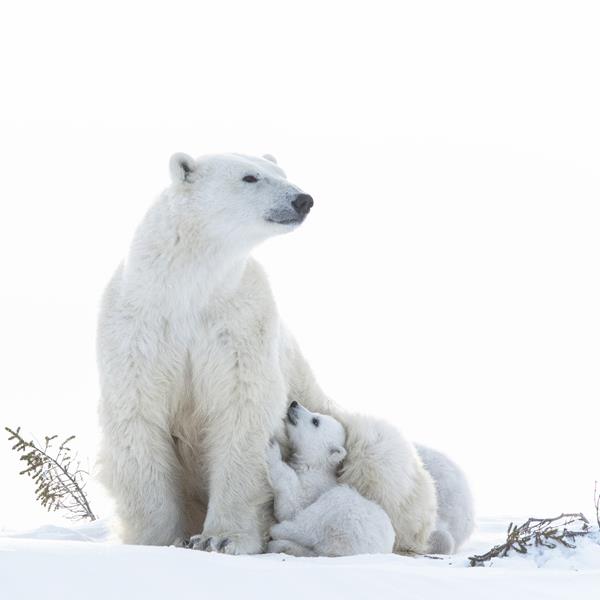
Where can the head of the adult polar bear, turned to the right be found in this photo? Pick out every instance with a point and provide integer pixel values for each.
(238, 197)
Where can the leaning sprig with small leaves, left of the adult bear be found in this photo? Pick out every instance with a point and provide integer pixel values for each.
(59, 479)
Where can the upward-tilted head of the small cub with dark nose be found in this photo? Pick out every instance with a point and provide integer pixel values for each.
(317, 440)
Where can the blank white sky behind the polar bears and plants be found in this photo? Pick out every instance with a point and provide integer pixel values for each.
(447, 278)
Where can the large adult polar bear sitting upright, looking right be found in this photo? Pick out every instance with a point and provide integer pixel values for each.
(197, 371)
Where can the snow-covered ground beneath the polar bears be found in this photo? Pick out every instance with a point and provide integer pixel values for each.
(82, 562)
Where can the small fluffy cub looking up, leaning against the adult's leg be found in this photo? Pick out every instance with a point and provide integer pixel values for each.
(317, 516)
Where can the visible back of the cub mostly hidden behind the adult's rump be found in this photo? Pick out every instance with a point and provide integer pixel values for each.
(456, 515)
